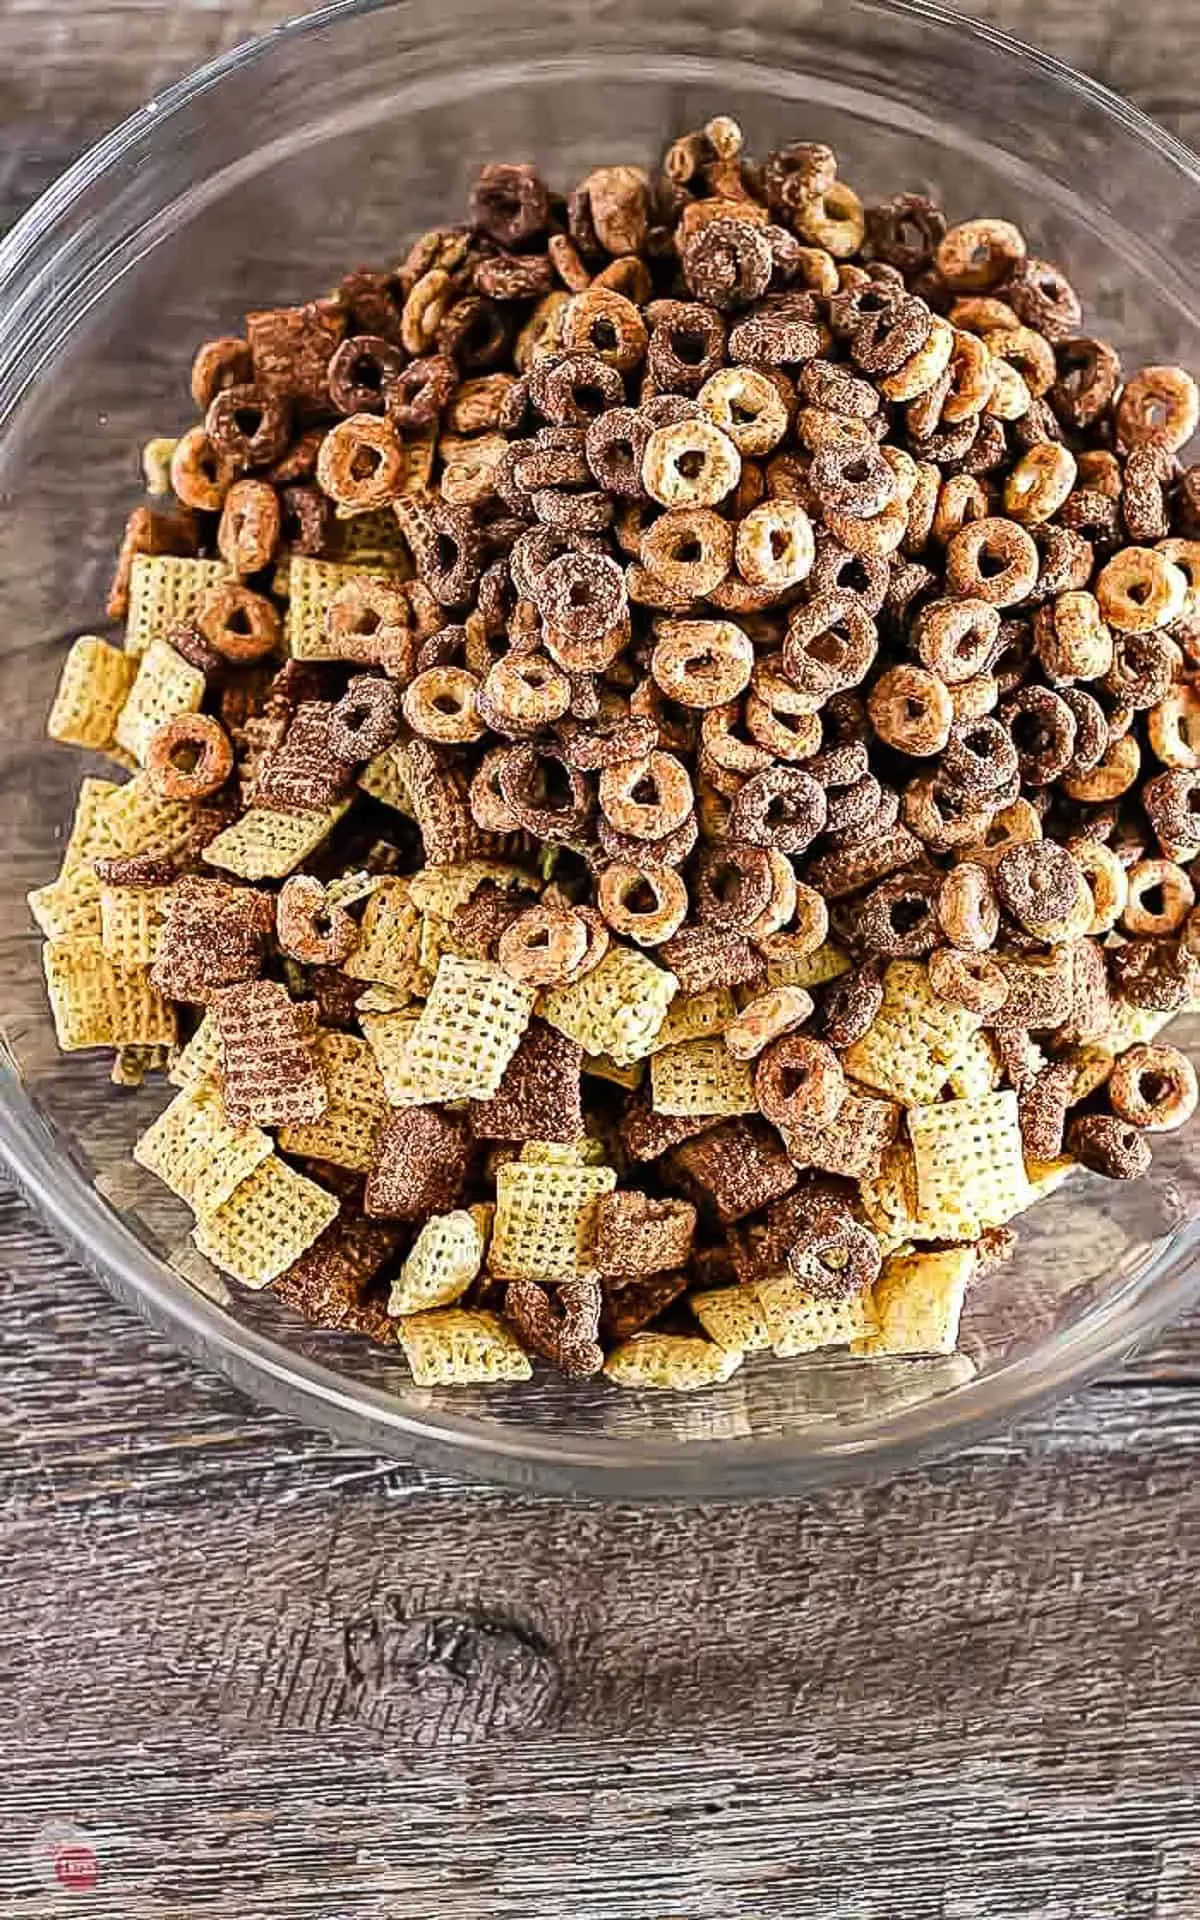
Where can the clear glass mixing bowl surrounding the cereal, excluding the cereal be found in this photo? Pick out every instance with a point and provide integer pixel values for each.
(262, 180)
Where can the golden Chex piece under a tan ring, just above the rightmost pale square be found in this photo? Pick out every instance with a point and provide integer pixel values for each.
(915, 1040)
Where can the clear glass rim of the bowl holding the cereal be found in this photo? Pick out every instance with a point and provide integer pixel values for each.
(49, 1176)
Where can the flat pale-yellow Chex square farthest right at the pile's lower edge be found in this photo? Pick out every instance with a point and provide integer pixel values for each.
(969, 1157)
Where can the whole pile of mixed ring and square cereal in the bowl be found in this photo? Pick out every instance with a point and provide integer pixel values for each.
(663, 777)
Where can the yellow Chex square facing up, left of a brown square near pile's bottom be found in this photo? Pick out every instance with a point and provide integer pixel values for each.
(546, 1218)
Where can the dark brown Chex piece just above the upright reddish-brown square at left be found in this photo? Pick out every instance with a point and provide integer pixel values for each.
(214, 936)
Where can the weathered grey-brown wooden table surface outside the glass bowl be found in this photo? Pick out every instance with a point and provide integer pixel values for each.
(260, 1673)
